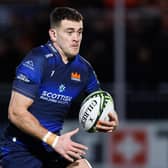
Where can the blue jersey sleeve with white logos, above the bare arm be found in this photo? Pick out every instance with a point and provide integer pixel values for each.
(28, 75)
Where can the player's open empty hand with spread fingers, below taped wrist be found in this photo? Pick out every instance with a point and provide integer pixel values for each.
(68, 148)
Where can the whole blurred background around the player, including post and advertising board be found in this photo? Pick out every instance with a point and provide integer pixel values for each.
(126, 41)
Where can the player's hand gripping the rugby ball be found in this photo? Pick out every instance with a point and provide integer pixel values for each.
(108, 126)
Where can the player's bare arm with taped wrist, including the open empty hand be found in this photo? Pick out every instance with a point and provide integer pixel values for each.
(19, 115)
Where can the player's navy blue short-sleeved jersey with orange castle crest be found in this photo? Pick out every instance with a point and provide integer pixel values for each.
(52, 84)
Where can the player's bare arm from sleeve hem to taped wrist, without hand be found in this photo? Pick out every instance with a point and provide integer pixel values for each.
(23, 119)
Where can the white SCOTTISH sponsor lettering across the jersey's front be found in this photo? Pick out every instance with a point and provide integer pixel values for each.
(55, 98)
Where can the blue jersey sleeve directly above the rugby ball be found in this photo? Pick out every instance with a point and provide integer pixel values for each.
(92, 83)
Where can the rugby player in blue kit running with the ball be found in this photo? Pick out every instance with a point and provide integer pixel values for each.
(47, 81)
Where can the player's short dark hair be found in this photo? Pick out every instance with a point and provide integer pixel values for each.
(61, 13)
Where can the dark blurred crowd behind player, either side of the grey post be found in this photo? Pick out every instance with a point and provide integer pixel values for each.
(25, 25)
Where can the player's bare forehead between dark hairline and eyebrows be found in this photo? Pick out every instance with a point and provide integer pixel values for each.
(67, 24)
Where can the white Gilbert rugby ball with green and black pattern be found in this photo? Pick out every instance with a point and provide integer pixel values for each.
(95, 107)
